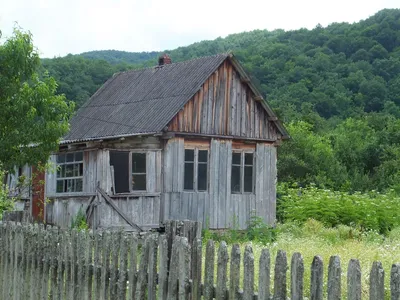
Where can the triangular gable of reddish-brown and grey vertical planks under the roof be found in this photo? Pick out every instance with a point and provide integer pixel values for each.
(224, 105)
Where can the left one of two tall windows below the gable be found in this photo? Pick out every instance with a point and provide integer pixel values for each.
(196, 169)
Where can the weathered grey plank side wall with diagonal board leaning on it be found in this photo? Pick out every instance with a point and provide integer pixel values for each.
(143, 208)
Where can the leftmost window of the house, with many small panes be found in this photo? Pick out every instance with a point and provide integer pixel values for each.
(69, 172)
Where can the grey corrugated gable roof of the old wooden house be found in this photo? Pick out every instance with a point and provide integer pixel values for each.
(140, 102)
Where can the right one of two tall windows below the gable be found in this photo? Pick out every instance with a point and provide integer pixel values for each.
(242, 172)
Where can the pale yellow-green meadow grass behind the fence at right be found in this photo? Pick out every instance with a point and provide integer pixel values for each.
(313, 238)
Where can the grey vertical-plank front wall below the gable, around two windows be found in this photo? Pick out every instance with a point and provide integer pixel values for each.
(218, 207)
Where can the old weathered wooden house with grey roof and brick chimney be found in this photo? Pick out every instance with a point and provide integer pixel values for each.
(189, 140)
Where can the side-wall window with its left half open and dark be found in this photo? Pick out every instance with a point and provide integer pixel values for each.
(129, 171)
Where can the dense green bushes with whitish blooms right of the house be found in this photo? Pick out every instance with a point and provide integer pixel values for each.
(371, 211)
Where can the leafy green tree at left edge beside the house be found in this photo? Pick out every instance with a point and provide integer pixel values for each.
(32, 117)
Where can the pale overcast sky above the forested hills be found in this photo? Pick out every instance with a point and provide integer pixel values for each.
(60, 27)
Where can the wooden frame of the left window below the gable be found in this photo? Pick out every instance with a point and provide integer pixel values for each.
(196, 168)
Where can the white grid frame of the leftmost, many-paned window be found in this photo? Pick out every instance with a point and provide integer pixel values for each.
(65, 178)
